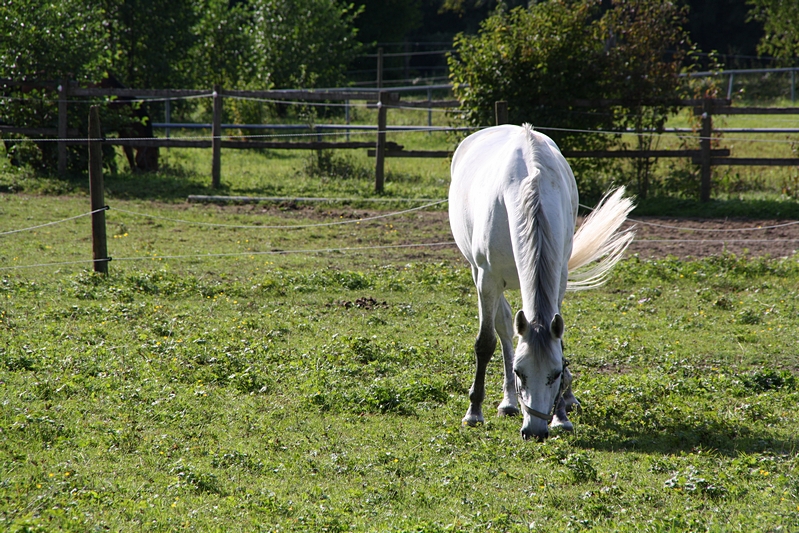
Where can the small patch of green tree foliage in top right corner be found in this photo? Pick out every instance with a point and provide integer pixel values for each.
(780, 20)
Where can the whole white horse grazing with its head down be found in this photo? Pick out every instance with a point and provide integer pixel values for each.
(513, 209)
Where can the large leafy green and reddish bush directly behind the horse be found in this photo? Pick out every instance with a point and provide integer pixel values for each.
(544, 59)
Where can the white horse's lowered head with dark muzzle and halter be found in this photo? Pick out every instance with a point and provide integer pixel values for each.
(538, 365)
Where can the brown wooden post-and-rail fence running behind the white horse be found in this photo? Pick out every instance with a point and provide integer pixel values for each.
(383, 100)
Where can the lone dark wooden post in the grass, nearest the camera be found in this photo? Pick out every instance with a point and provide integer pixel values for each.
(97, 193)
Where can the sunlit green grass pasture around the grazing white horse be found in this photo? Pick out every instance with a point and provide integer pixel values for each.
(209, 383)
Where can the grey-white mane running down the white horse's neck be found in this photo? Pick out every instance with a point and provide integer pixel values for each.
(537, 248)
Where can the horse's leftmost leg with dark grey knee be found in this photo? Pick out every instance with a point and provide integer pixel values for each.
(484, 348)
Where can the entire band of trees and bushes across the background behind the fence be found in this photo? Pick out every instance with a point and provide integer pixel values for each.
(539, 57)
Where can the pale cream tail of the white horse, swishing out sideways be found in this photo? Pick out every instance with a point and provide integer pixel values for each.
(599, 238)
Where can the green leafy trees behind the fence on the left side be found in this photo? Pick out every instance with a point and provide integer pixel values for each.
(190, 43)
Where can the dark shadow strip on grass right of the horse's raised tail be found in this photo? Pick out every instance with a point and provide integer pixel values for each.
(676, 207)
